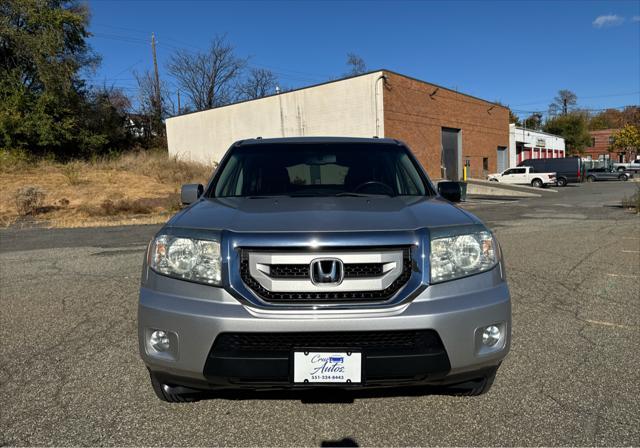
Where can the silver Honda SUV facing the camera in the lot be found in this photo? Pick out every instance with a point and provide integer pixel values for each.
(311, 262)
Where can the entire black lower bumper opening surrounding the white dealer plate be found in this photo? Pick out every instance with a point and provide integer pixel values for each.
(266, 358)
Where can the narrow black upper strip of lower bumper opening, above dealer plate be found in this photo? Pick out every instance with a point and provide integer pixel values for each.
(371, 342)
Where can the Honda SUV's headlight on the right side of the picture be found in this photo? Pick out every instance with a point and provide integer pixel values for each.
(462, 255)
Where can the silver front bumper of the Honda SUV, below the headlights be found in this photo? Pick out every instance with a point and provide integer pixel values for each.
(196, 315)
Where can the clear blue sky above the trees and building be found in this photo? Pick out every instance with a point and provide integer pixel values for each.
(520, 53)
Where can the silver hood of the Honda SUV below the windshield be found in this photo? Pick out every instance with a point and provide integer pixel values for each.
(320, 214)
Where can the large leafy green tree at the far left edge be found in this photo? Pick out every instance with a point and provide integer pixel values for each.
(43, 52)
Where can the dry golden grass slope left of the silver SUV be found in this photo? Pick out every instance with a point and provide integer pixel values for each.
(139, 187)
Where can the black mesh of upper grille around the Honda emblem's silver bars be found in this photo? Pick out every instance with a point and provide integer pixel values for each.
(357, 270)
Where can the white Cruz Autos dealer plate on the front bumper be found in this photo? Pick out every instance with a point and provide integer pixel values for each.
(327, 367)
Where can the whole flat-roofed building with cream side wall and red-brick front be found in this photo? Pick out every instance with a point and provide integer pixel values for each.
(445, 128)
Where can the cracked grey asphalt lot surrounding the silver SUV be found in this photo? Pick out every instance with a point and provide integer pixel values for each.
(70, 372)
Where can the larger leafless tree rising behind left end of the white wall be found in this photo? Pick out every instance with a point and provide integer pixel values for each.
(208, 78)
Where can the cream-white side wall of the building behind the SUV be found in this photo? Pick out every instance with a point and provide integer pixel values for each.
(346, 108)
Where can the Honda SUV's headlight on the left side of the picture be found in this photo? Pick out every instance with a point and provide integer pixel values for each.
(186, 258)
